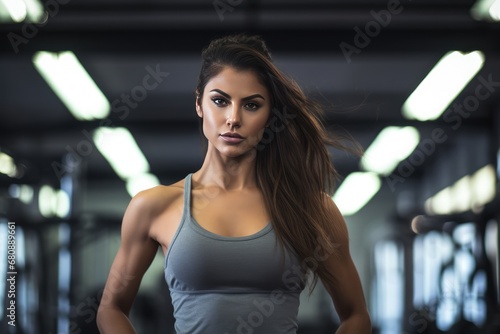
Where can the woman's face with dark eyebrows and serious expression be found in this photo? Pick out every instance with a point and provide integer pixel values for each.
(235, 109)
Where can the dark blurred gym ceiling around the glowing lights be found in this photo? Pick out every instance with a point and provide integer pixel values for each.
(117, 41)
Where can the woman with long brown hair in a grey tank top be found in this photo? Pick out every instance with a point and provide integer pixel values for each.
(243, 234)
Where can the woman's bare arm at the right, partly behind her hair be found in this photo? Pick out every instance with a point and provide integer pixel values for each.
(346, 291)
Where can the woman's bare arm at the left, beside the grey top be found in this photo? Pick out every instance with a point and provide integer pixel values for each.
(137, 251)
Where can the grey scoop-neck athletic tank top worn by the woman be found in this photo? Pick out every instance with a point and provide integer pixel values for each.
(231, 285)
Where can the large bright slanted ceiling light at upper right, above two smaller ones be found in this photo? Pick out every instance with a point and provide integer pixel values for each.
(442, 85)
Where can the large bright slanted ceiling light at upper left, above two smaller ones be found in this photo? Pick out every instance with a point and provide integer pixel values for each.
(72, 84)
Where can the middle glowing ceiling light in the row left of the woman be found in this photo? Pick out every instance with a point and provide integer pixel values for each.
(119, 148)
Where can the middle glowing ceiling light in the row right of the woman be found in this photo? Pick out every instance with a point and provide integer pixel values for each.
(392, 145)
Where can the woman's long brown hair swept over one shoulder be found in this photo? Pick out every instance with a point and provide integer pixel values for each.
(293, 166)
